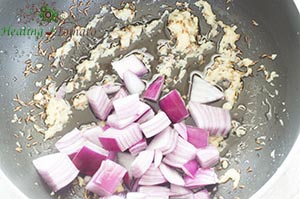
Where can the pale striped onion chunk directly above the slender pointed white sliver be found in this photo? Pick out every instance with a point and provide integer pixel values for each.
(183, 152)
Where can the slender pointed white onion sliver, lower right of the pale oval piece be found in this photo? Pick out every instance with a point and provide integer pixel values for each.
(171, 175)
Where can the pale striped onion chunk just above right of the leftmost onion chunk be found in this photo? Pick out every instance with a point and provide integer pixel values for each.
(71, 143)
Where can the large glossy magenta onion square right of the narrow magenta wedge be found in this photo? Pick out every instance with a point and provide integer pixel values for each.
(173, 105)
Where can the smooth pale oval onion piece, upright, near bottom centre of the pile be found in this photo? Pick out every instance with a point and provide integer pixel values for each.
(142, 163)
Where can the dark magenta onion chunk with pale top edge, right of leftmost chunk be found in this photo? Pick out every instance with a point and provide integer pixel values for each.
(89, 158)
